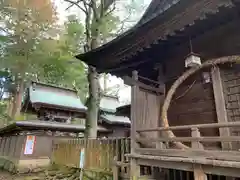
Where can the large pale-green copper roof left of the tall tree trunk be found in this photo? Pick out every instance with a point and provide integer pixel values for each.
(53, 97)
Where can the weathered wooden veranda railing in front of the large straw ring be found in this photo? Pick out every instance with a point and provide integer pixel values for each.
(196, 141)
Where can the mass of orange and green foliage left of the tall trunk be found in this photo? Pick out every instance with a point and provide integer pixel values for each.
(35, 48)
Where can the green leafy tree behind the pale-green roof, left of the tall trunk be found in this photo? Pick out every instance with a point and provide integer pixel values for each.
(61, 68)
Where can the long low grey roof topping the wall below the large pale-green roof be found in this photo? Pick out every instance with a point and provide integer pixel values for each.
(44, 125)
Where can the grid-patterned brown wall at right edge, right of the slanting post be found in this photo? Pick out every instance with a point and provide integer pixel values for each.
(231, 86)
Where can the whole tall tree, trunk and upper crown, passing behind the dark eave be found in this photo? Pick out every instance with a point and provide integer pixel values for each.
(101, 25)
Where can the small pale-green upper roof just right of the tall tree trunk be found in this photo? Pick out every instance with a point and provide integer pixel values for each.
(109, 103)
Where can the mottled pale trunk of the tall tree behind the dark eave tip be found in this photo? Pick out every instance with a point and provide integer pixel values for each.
(94, 15)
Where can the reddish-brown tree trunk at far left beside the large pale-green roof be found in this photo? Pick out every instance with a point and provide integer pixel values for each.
(17, 100)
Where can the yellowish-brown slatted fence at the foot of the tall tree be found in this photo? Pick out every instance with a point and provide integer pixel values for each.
(99, 153)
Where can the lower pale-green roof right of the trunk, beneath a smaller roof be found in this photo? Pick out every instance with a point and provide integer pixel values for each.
(114, 119)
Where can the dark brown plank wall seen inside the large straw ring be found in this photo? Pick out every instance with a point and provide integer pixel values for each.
(193, 103)
